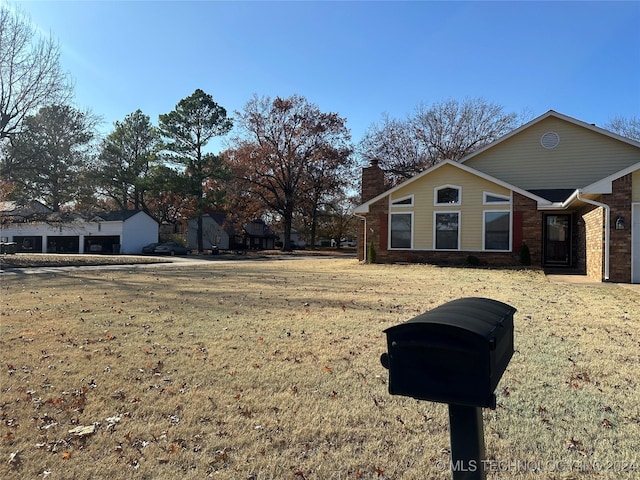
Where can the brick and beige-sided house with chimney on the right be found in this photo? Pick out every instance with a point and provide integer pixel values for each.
(567, 189)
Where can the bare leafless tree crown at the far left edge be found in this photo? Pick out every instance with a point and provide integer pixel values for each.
(30, 72)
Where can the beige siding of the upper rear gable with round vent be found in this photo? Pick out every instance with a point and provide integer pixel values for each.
(581, 158)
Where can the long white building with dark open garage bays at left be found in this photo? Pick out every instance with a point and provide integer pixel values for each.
(44, 231)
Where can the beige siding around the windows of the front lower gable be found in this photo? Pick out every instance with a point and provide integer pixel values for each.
(471, 207)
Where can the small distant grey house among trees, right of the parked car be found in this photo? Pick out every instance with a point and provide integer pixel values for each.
(255, 235)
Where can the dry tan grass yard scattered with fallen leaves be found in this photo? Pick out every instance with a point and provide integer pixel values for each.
(270, 370)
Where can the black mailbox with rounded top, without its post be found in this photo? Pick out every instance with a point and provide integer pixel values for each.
(455, 353)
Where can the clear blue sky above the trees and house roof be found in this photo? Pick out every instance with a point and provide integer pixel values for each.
(359, 59)
